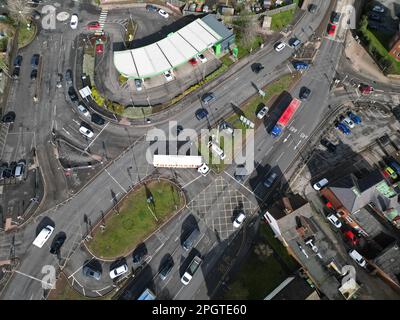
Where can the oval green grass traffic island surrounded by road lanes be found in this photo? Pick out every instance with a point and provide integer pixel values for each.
(135, 221)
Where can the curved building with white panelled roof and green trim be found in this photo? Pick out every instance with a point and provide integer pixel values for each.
(174, 50)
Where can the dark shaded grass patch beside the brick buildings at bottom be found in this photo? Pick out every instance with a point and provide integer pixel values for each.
(261, 273)
